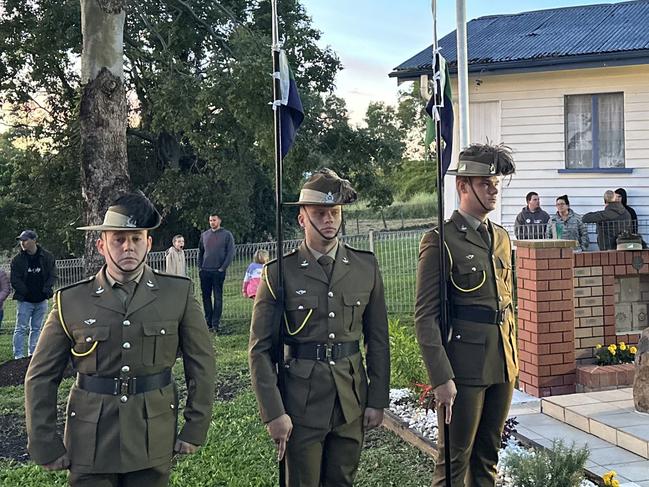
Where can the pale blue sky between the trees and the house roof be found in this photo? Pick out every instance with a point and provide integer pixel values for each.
(371, 37)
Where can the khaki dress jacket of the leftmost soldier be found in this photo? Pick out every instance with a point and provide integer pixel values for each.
(88, 324)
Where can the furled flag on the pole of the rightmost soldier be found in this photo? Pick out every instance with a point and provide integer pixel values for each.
(443, 113)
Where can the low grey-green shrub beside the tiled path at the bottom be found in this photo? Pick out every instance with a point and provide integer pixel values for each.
(559, 466)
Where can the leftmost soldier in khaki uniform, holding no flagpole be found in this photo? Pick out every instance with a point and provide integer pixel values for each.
(122, 329)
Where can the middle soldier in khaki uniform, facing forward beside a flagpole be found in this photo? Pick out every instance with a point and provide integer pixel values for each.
(334, 296)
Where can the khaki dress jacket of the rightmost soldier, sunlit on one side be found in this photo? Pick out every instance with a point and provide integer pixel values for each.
(477, 353)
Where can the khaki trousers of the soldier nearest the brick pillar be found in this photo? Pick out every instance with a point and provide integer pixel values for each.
(479, 415)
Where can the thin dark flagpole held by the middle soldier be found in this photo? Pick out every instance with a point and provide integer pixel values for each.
(277, 106)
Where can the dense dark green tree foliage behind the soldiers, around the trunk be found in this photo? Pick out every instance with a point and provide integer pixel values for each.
(200, 132)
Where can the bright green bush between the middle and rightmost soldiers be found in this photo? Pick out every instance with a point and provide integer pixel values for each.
(407, 366)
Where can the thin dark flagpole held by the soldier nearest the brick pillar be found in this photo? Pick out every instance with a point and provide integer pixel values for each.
(443, 312)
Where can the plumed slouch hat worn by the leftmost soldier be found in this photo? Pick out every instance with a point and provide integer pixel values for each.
(132, 211)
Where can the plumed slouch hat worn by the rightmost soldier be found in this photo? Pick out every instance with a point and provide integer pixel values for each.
(485, 160)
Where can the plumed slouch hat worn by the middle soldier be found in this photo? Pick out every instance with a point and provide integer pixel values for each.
(325, 188)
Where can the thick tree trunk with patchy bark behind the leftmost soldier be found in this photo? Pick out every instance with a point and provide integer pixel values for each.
(103, 115)
